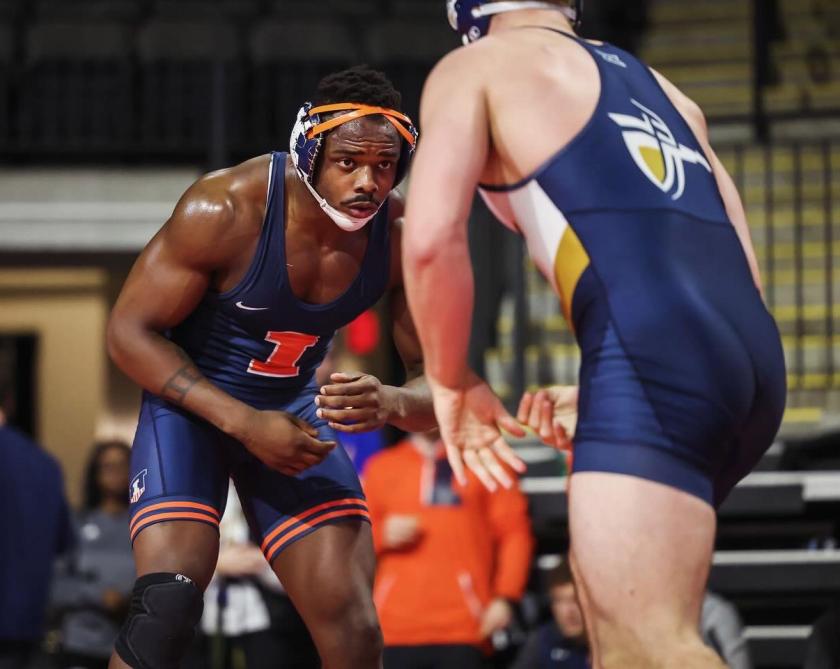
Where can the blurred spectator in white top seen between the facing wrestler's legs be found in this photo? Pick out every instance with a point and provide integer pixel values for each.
(246, 612)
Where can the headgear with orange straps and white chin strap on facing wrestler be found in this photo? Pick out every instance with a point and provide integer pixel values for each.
(308, 137)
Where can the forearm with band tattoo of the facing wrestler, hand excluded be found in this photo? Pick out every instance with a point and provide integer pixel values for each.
(164, 369)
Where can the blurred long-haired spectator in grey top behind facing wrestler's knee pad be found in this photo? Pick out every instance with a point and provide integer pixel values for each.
(92, 586)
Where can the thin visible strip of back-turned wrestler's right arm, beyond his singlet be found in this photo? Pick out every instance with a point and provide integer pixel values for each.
(693, 115)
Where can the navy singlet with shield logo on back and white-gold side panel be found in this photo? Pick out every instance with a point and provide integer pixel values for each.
(682, 378)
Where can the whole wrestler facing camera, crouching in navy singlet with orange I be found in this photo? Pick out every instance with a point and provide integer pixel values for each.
(223, 320)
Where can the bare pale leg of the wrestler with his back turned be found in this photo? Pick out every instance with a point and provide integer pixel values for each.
(641, 554)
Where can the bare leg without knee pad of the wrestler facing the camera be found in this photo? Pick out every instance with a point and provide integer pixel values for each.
(329, 576)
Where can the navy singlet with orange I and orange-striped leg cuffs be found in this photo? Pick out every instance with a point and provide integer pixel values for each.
(262, 345)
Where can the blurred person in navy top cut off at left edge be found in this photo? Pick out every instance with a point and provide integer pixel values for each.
(34, 528)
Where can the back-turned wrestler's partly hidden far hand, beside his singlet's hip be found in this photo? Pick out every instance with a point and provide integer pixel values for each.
(552, 414)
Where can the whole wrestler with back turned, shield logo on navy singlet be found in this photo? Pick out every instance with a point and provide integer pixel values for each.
(606, 169)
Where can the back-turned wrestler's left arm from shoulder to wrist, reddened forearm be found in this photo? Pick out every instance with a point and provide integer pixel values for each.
(436, 259)
